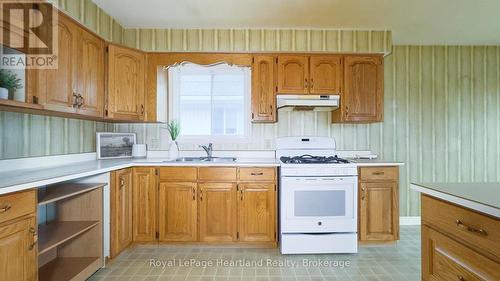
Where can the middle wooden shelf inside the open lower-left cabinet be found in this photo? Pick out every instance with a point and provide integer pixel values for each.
(56, 233)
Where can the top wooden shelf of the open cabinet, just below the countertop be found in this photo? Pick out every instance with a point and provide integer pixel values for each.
(61, 191)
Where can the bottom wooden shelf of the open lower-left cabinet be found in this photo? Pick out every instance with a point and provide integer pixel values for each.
(65, 269)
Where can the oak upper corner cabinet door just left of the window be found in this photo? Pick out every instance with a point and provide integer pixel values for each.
(126, 78)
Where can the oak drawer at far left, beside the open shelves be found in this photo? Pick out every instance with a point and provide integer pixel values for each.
(16, 205)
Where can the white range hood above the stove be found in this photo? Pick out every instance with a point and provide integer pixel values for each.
(308, 102)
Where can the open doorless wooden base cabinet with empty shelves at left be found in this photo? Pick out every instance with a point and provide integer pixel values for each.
(70, 244)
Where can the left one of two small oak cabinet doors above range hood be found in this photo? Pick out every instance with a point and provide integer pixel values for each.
(293, 74)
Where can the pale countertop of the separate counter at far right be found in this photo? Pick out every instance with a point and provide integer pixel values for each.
(481, 197)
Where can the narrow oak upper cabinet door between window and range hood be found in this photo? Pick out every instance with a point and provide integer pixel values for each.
(263, 89)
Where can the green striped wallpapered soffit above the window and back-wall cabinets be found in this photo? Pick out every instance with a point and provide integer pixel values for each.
(259, 40)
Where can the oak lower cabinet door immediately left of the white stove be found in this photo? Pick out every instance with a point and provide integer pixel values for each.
(256, 208)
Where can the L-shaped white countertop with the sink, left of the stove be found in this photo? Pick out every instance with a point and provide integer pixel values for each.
(20, 179)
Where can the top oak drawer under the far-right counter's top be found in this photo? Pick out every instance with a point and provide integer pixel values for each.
(478, 230)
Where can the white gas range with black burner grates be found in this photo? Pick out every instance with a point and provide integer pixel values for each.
(318, 197)
